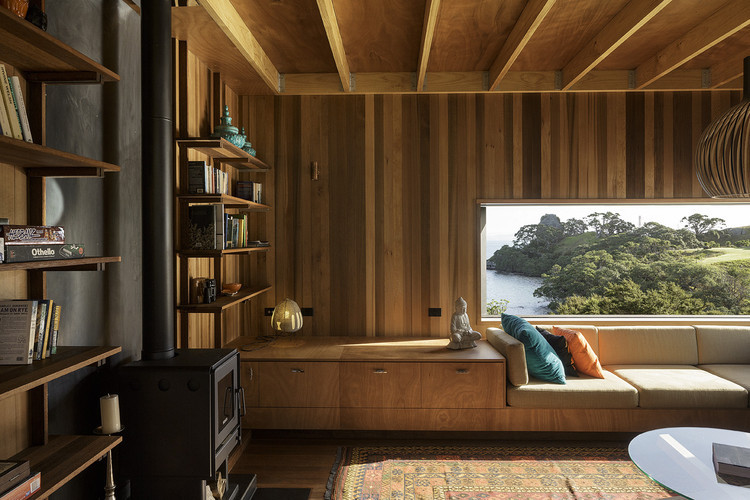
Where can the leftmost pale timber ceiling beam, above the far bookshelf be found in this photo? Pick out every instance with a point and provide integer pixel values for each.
(230, 22)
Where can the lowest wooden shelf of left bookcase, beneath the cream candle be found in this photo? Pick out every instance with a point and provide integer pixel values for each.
(64, 457)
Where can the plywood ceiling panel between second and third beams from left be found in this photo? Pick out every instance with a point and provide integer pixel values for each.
(380, 35)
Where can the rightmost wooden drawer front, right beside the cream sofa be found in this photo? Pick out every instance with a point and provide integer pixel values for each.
(463, 385)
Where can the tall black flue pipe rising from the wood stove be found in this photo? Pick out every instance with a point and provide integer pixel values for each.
(157, 177)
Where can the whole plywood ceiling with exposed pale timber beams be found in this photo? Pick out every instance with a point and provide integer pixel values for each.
(429, 46)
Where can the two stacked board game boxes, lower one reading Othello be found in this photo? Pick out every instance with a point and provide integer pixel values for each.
(32, 243)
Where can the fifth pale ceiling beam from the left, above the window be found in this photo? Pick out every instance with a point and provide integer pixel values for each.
(629, 20)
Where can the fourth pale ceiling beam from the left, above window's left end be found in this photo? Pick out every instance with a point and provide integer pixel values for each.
(528, 22)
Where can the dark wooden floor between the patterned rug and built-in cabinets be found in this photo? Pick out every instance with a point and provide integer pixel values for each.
(296, 459)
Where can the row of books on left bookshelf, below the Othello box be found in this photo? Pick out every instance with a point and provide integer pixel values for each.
(29, 330)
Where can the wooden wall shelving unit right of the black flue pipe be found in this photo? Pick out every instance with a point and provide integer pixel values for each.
(223, 154)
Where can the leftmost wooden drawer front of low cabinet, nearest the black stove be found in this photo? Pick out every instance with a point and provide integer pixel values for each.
(305, 384)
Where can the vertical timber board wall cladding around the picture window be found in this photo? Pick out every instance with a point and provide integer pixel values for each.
(390, 227)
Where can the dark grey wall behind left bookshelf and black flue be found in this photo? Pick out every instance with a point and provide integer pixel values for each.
(102, 122)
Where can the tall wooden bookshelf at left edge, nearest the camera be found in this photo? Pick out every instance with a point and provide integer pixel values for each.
(39, 59)
